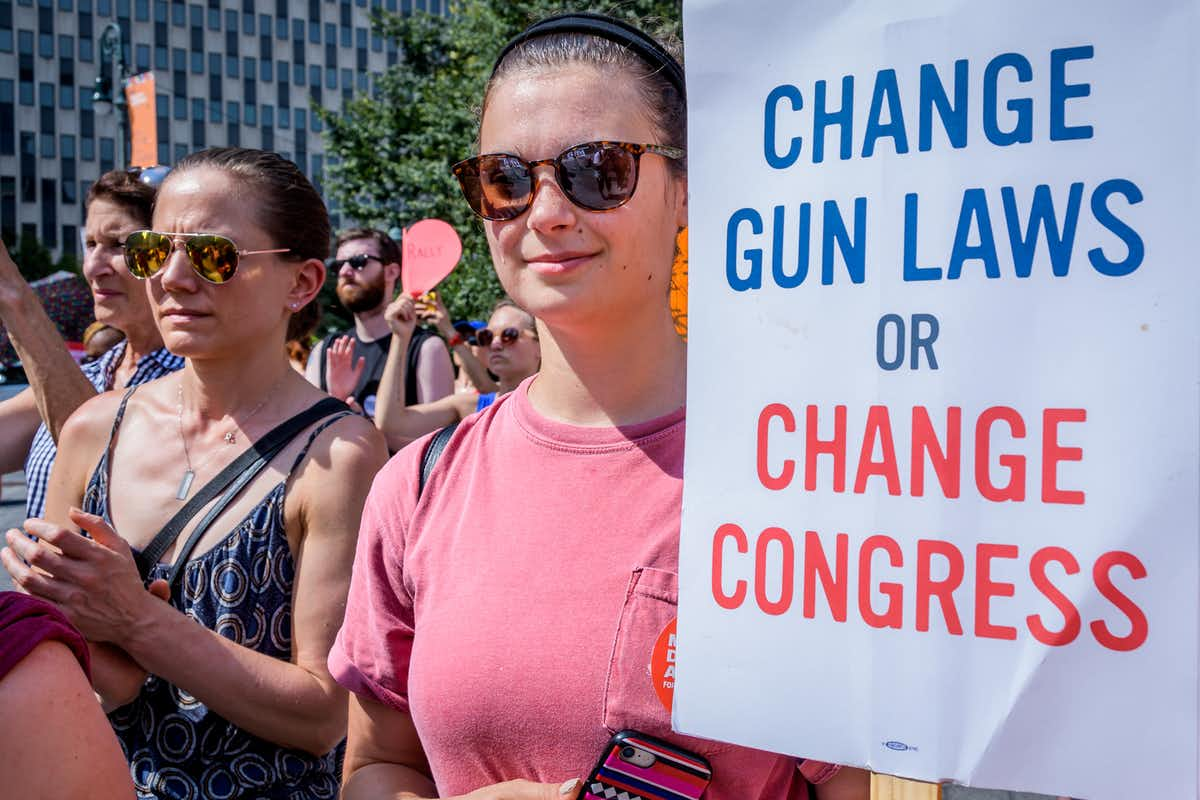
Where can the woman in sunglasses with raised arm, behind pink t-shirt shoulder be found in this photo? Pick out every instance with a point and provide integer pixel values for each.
(513, 356)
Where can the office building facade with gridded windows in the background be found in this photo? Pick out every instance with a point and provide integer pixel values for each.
(227, 73)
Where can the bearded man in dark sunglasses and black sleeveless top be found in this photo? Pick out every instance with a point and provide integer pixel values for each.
(368, 267)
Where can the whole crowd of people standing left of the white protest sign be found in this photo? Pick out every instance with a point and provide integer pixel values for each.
(275, 586)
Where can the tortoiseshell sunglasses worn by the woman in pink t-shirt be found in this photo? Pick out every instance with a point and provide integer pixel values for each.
(596, 176)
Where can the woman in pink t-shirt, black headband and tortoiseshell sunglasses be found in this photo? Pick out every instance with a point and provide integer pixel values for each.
(502, 619)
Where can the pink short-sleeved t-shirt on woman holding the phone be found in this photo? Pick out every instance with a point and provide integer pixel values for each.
(513, 611)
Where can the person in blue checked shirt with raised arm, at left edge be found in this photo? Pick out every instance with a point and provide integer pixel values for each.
(118, 204)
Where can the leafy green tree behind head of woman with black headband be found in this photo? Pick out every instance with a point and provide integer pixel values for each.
(393, 149)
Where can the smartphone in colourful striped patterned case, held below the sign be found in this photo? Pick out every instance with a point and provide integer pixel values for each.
(638, 767)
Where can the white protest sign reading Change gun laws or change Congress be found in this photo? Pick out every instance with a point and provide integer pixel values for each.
(941, 483)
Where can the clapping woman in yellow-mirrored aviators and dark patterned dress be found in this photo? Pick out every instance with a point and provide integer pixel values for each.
(239, 701)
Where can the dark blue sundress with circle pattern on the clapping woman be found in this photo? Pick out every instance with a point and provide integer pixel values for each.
(242, 588)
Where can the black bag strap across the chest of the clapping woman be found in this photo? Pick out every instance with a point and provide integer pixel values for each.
(235, 477)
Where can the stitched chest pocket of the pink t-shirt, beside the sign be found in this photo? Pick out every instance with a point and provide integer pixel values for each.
(631, 699)
